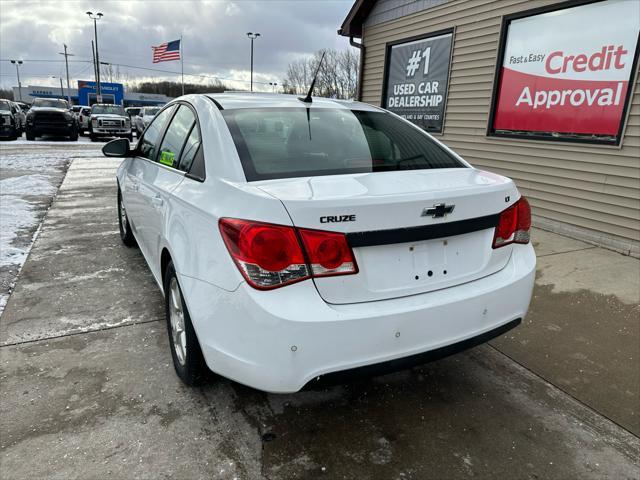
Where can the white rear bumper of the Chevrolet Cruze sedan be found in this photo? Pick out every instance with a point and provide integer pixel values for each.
(280, 340)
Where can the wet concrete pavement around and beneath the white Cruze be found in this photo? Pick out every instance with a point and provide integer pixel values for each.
(87, 389)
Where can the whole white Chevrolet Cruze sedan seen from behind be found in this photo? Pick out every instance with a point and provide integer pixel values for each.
(299, 241)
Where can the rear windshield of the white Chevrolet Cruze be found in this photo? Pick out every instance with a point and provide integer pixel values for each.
(299, 142)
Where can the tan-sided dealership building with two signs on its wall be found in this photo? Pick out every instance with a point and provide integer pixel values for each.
(542, 91)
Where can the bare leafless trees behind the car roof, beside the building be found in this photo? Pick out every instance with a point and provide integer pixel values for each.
(336, 79)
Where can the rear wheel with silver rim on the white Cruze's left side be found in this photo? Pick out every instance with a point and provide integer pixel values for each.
(188, 360)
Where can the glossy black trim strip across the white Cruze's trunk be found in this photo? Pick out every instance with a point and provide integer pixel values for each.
(426, 232)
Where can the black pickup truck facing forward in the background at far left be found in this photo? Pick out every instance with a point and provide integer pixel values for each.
(51, 116)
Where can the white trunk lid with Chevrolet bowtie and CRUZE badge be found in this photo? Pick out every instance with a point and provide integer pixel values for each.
(411, 231)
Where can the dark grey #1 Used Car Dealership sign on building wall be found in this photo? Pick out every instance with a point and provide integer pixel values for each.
(416, 78)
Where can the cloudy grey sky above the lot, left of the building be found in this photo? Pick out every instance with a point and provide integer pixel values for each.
(214, 37)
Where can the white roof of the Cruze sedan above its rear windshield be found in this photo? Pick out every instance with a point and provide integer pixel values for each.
(229, 101)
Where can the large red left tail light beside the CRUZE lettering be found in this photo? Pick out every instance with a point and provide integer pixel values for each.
(271, 256)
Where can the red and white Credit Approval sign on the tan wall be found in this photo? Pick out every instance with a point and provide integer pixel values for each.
(568, 71)
